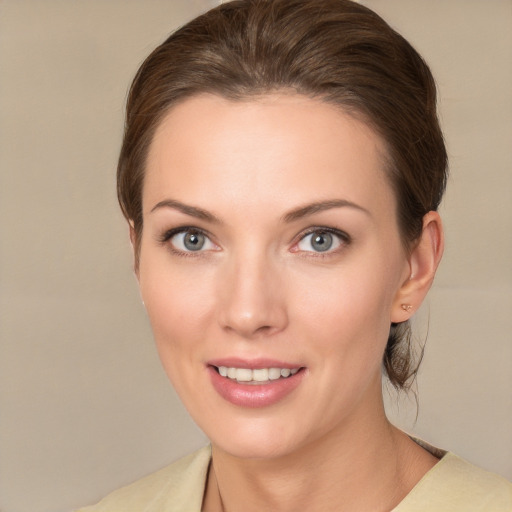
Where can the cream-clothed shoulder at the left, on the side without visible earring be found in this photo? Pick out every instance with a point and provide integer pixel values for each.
(168, 490)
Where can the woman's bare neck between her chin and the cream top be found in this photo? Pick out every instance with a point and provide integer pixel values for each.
(363, 465)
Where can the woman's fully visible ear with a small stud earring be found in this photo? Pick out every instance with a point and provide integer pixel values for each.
(423, 262)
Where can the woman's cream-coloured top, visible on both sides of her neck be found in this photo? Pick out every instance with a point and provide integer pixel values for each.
(452, 485)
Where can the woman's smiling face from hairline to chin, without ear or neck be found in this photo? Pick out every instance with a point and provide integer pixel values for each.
(270, 253)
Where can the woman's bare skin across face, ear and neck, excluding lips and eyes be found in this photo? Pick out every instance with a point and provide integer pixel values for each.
(259, 289)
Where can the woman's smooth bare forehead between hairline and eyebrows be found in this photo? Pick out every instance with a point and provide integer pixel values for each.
(285, 145)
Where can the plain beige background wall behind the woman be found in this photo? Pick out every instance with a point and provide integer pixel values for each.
(84, 404)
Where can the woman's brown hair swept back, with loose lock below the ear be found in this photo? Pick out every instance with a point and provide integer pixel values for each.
(337, 51)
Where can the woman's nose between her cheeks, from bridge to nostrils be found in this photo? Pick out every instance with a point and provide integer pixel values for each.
(252, 299)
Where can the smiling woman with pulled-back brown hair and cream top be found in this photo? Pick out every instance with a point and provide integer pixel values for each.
(281, 172)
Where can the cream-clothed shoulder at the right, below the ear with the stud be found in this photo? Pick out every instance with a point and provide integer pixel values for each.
(454, 484)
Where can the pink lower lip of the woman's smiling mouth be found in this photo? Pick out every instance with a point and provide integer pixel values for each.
(254, 395)
